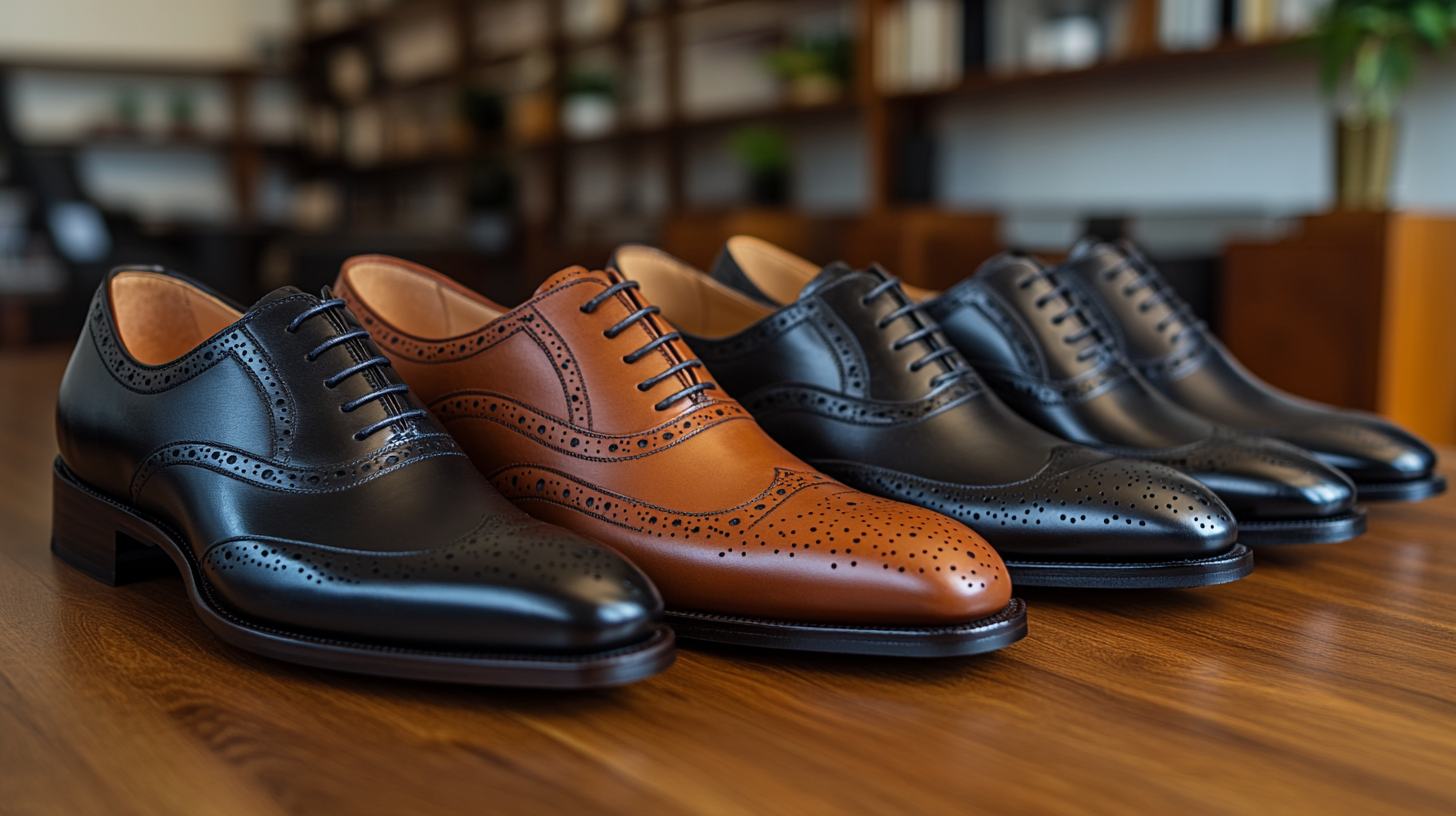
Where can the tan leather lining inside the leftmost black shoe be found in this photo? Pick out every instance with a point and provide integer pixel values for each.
(161, 318)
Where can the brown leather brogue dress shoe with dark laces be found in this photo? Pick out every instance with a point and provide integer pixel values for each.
(589, 412)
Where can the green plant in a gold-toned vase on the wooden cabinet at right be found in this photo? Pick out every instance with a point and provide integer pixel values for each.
(1368, 53)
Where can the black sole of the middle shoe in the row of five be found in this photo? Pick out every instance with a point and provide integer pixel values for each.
(1184, 573)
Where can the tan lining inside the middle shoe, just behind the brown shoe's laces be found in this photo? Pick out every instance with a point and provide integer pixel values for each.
(689, 299)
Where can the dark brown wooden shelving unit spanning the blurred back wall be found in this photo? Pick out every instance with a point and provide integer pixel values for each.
(885, 117)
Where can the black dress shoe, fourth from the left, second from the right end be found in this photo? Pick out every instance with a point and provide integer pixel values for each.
(1052, 362)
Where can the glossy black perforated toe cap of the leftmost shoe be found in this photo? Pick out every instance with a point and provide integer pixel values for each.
(513, 584)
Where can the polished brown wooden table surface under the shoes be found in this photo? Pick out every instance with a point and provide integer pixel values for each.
(1323, 684)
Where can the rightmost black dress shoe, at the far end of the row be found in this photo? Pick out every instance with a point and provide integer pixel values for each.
(1180, 356)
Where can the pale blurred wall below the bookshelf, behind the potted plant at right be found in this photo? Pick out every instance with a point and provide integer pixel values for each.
(1221, 145)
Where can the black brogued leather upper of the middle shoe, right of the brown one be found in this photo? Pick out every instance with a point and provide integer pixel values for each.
(829, 384)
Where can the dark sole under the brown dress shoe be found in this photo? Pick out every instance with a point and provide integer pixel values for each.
(973, 637)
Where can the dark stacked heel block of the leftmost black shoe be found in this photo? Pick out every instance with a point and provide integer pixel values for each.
(100, 538)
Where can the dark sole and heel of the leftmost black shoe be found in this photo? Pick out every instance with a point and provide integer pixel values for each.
(117, 546)
